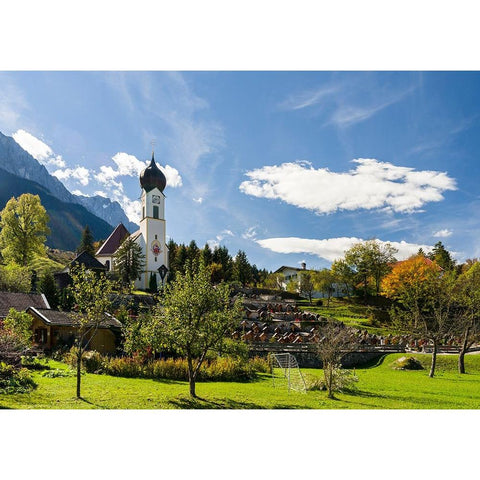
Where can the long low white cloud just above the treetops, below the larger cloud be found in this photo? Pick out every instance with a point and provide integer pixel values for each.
(331, 248)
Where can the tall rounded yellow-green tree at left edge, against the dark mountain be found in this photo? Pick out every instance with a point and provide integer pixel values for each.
(23, 224)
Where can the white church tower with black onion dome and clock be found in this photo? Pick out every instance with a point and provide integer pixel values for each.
(152, 234)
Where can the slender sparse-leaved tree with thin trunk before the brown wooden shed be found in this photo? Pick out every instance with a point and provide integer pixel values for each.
(91, 293)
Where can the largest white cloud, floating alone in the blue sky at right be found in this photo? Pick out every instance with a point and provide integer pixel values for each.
(371, 185)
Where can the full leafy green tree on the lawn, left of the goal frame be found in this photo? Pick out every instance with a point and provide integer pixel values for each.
(194, 318)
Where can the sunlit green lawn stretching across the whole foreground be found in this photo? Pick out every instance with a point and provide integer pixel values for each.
(378, 387)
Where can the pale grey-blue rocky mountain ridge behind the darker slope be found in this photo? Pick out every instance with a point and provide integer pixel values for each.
(15, 160)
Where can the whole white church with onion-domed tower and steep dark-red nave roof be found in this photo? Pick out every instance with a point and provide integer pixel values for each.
(152, 233)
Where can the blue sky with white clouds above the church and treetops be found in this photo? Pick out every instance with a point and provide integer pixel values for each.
(288, 166)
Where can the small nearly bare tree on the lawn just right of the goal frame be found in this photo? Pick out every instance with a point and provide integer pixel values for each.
(335, 341)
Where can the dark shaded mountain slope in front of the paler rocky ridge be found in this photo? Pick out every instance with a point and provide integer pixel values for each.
(67, 220)
